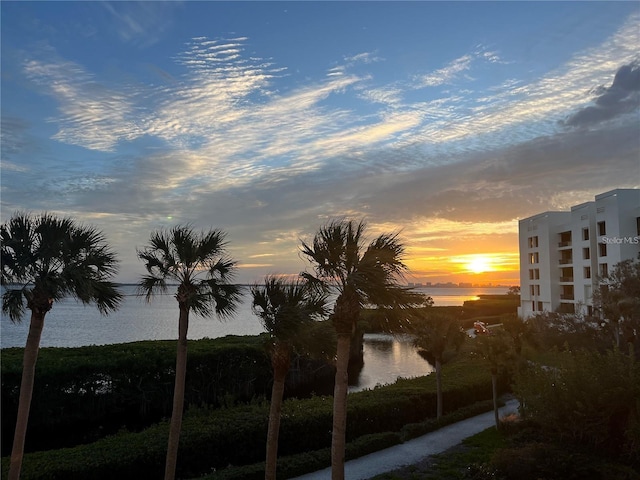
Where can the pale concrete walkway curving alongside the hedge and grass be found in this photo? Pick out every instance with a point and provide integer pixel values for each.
(414, 450)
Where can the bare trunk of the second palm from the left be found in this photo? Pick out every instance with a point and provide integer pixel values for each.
(178, 395)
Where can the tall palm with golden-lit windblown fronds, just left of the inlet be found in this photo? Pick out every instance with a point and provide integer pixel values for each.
(361, 275)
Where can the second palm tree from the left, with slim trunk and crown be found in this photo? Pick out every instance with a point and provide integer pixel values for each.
(198, 263)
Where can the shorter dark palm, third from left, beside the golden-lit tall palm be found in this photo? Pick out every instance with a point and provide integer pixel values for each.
(285, 310)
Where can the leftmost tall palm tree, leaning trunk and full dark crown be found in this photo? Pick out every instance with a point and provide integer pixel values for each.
(44, 259)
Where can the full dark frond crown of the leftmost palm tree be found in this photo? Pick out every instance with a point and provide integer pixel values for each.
(54, 257)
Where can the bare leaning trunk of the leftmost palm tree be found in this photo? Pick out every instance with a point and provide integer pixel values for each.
(26, 392)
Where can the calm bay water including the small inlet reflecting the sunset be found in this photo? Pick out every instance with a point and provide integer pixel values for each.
(70, 324)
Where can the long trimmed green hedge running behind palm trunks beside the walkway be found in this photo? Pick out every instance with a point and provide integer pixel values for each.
(215, 439)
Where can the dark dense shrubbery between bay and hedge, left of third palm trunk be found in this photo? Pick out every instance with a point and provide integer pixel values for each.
(84, 393)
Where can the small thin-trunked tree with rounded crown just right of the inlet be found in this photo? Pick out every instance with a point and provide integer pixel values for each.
(437, 336)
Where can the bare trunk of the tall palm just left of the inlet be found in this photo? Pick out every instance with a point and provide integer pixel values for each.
(341, 387)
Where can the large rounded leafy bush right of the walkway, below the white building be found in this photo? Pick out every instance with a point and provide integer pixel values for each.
(587, 398)
